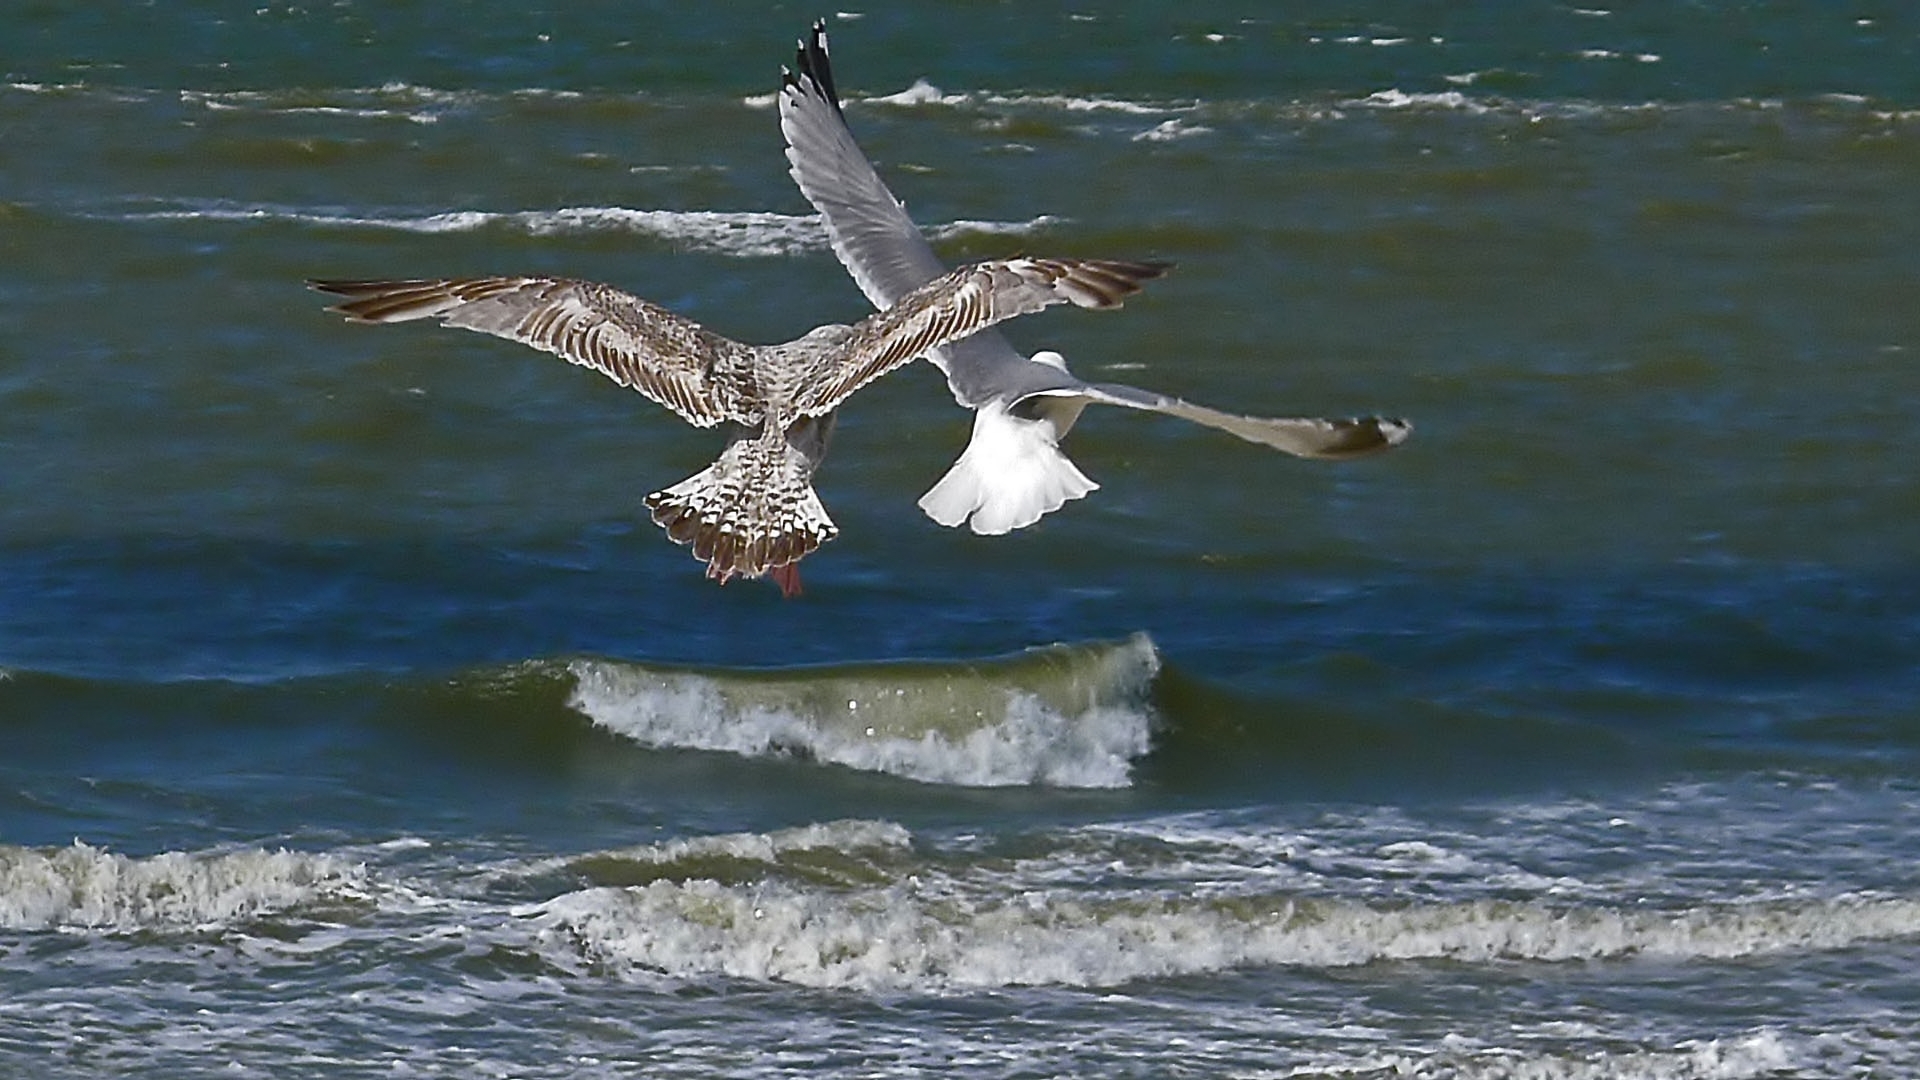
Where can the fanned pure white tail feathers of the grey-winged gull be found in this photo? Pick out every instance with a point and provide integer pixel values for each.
(1011, 476)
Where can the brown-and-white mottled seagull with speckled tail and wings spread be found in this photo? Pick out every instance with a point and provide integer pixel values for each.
(754, 512)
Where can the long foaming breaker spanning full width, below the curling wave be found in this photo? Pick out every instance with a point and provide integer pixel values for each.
(863, 906)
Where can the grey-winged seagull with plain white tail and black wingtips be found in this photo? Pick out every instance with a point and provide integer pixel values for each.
(1013, 472)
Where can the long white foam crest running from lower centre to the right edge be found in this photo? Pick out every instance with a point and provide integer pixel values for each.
(900, 939)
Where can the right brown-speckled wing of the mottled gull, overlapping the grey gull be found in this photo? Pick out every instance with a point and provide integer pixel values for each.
(959, 305)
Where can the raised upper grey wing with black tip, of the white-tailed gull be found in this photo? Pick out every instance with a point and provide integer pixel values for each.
(869, 228)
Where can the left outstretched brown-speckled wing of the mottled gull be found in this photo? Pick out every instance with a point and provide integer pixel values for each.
(627, 339)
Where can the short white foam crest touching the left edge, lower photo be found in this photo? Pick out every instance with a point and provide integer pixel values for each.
(84, 887)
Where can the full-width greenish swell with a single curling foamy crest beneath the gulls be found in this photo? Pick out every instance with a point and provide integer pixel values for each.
(1072, 716)
